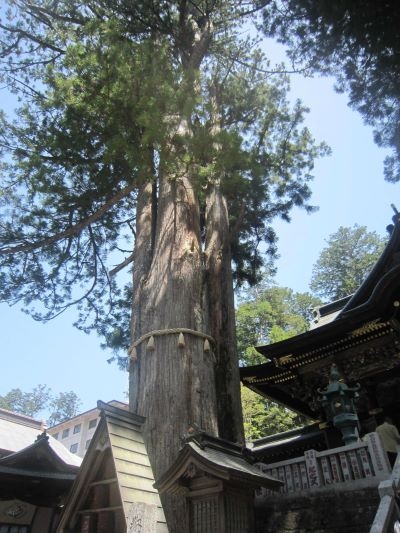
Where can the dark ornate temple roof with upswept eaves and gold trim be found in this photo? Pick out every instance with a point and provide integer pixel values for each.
(366, 323)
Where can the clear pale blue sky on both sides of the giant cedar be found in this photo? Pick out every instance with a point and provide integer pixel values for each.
(349, 188)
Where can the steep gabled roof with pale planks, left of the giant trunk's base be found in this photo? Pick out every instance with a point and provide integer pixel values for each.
(117, 460)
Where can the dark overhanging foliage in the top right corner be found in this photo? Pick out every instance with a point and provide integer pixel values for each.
(356, 41)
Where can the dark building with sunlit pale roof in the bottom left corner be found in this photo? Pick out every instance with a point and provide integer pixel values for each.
(36, 475)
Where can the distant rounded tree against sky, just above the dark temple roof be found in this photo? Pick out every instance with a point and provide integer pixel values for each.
(345, 262)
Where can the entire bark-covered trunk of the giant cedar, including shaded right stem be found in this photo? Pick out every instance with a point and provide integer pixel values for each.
(183, 280)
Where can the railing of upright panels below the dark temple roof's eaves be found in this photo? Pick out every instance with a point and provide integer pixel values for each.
(364, 462)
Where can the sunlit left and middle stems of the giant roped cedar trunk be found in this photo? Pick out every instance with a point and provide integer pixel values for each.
(172, 386)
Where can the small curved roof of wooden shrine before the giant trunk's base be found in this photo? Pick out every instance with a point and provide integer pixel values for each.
(216, 458)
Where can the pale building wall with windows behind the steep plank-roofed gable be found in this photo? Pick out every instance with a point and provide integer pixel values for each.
(76, 433)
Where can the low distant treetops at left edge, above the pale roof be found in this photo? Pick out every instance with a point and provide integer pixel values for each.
(61, 407)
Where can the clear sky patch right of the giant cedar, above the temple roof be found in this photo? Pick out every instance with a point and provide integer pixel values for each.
(349, 187)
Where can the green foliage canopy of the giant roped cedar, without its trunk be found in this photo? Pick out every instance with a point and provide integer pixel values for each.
(104, 90)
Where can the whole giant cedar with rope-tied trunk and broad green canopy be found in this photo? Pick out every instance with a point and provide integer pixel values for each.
(148, 133)
